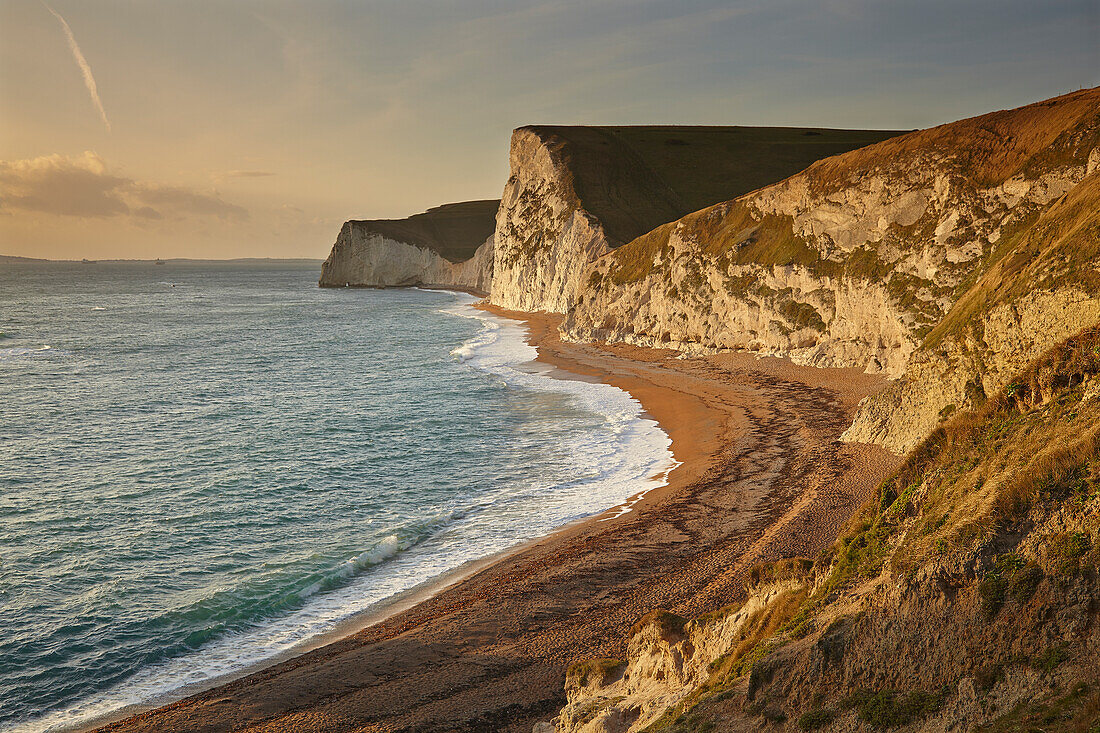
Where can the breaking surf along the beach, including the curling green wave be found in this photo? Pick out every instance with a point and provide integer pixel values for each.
(615, 451)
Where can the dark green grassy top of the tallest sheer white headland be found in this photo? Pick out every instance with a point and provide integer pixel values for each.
(635, 179)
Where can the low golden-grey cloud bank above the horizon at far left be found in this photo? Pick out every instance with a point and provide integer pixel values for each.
(85, 188)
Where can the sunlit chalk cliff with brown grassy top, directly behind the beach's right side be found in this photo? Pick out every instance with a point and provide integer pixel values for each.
(949, 258)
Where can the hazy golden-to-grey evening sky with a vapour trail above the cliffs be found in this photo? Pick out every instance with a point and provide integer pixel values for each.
(255, 128)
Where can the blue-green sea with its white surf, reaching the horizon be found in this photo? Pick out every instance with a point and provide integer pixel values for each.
(207, 466)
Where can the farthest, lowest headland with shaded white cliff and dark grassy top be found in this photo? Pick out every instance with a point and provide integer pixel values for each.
(449, 247)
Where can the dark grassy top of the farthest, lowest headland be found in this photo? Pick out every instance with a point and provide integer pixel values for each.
(453, 231)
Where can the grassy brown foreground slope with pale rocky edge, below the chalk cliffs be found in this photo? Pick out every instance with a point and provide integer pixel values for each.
(966, 596)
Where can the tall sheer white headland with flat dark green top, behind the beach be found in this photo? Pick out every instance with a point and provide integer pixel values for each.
(575, 194)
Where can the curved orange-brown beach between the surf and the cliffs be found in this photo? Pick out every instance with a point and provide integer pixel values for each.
(762, 477)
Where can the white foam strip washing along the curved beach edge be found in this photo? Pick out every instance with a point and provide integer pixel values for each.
(628, 456)
